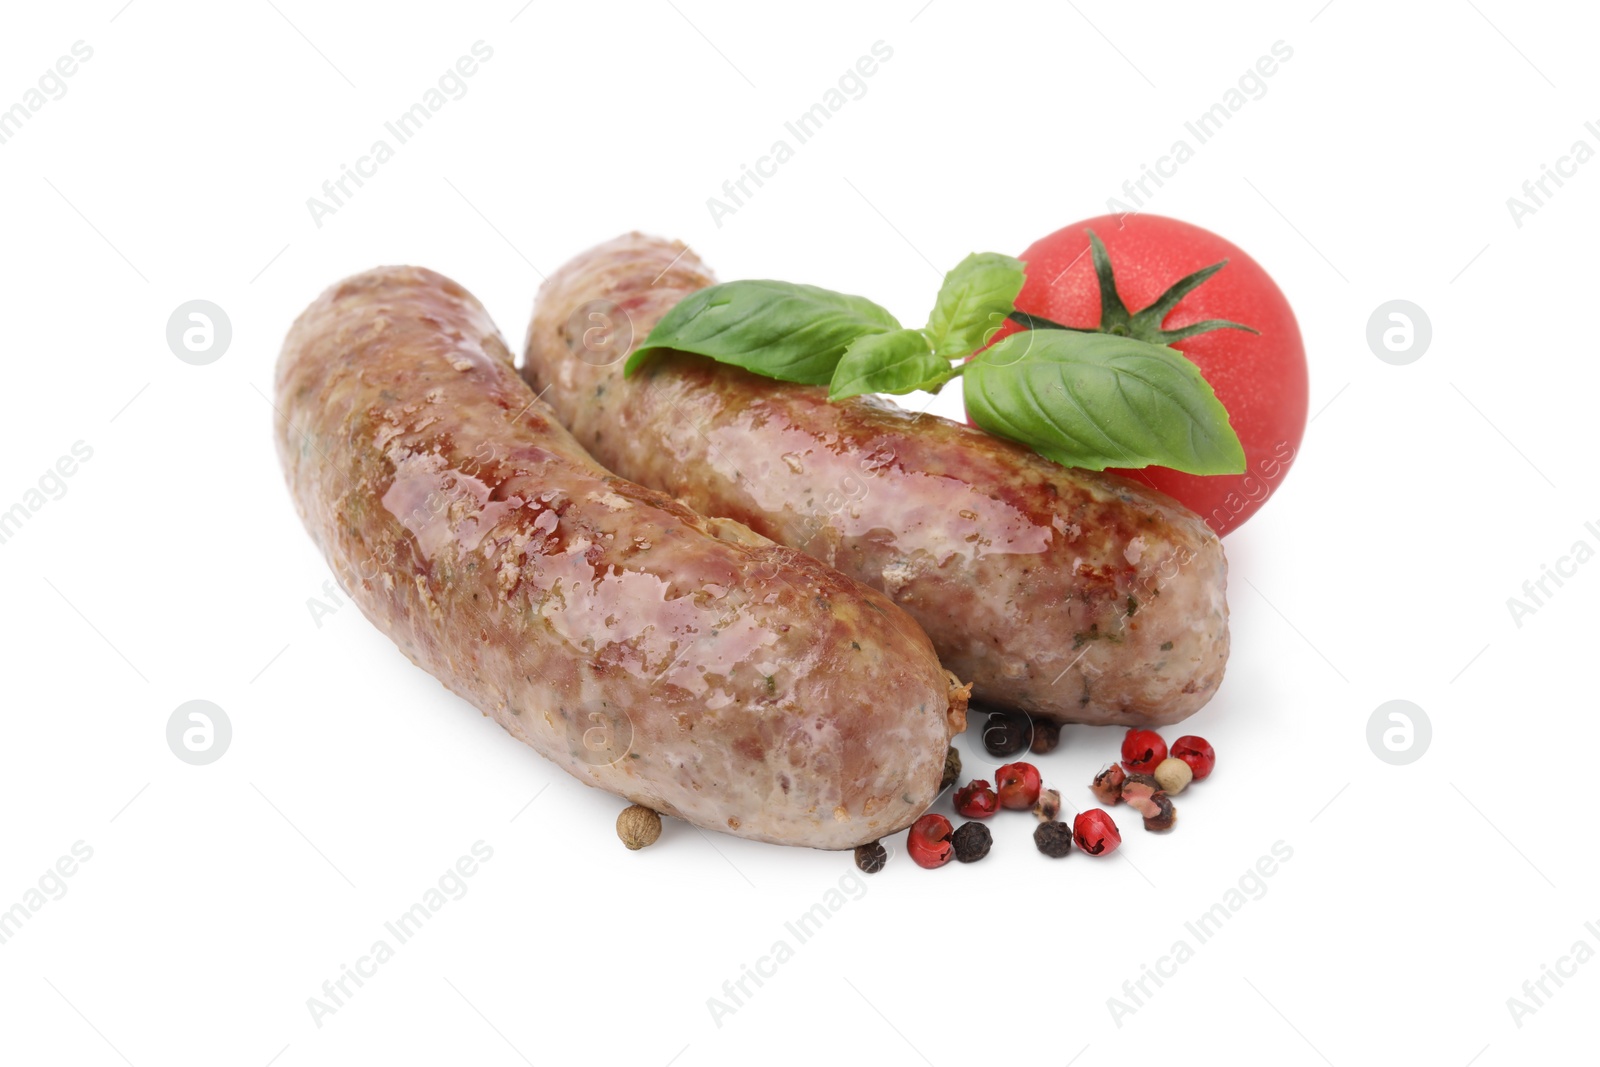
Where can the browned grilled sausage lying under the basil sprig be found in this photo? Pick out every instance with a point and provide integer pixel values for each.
(1074, 596)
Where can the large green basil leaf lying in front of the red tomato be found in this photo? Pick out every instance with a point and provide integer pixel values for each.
(1098, 401)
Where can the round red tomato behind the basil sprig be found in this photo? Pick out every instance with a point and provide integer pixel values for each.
(1260, 378)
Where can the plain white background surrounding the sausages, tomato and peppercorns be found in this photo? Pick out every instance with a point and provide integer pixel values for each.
(222, 898)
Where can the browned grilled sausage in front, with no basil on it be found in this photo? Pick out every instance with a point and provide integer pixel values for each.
(682, 663)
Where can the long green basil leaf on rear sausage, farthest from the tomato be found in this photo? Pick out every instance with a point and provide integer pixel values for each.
(794, 334)
